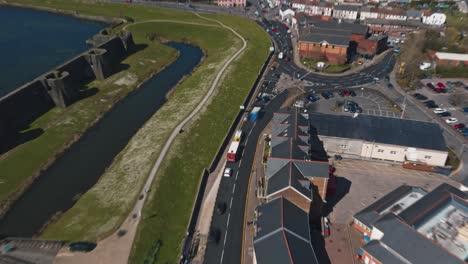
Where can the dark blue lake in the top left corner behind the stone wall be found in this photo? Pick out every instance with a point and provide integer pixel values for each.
(32, 43)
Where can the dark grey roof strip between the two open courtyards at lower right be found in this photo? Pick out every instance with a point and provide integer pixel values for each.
(423, 208)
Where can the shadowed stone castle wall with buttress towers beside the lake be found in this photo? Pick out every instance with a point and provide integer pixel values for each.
(63, 85)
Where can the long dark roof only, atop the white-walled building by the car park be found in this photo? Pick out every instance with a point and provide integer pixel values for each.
(402, 132)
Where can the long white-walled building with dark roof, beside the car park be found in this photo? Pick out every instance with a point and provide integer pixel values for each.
(381, 138)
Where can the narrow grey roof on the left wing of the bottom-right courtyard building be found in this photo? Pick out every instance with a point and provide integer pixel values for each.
(371, 214)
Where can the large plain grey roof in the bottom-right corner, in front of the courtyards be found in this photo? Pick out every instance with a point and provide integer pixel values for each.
(408, 244)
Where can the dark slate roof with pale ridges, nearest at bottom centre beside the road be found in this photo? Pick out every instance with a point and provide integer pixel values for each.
(283, 228)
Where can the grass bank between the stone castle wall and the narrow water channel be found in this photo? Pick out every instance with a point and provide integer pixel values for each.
(62, 126)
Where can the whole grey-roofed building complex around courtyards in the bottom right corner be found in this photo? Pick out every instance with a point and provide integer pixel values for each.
(410, 225)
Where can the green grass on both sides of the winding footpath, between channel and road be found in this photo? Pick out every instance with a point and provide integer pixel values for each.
(169, 205)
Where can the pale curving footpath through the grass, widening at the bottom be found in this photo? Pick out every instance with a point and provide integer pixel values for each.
(115, 249)
